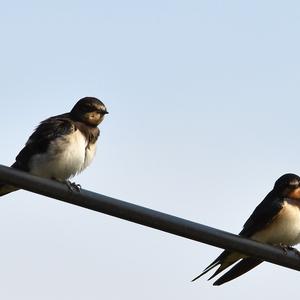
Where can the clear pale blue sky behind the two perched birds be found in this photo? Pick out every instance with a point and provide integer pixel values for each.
(204, 116)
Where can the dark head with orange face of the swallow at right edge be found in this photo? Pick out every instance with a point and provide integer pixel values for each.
(288, 185)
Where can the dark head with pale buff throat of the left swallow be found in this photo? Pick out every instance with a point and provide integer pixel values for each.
(89, 110)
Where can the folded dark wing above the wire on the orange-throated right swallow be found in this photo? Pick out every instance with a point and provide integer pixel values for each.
(263, 214)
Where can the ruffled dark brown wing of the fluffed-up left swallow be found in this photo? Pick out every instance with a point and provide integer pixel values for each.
(39, 141)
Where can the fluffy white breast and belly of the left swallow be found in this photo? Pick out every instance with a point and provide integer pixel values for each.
(65, 157)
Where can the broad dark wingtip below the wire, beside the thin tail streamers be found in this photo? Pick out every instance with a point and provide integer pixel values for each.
(239, 269)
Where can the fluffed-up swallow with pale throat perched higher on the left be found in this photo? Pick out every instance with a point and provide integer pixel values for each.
(62, 146)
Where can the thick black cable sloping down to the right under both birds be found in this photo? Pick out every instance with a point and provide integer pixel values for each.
(150, 218)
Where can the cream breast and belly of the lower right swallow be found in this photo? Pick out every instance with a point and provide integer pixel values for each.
(285, 228)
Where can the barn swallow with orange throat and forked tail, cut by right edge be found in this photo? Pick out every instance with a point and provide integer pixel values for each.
(275, 221)
